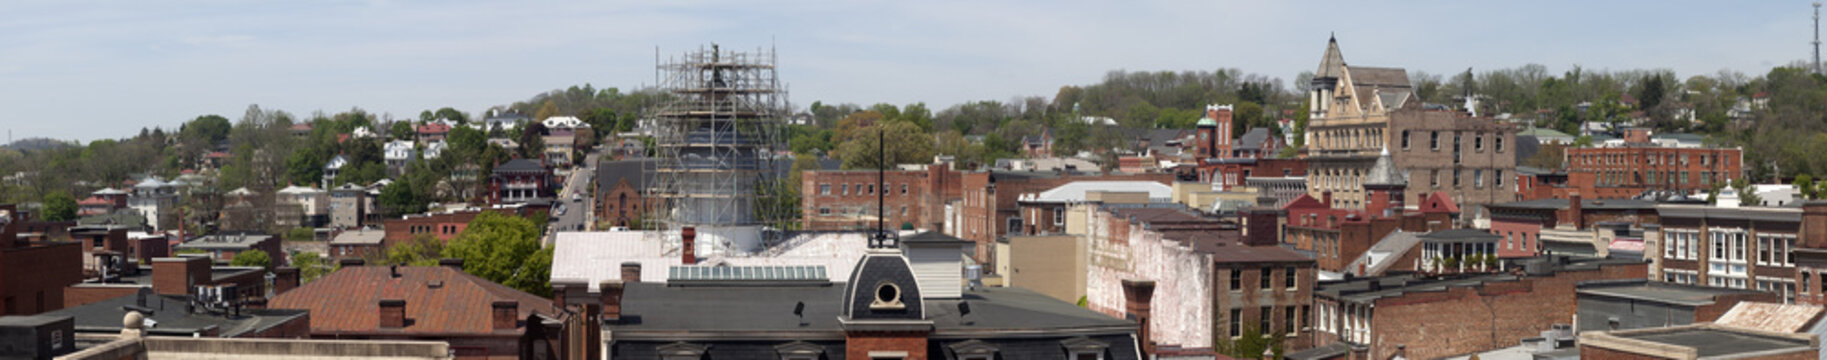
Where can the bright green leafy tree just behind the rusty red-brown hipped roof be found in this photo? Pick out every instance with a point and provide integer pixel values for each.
(505, 249)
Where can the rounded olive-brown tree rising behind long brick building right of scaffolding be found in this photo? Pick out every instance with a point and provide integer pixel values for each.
(905, 145)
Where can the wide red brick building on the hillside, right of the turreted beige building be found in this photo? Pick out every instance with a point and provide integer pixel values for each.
(1642, 164)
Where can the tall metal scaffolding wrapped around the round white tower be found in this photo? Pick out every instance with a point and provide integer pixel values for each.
(715, 140)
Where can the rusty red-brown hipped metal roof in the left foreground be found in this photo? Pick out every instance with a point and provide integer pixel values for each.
(439, 301)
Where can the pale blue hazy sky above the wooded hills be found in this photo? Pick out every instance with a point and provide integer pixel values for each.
(81, 70)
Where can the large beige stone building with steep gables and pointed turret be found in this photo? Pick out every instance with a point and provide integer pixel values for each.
(1358, 112)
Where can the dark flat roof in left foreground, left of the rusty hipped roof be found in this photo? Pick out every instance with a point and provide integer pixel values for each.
(171, 317)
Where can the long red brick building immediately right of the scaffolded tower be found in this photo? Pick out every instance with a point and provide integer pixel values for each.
(847, 200)
